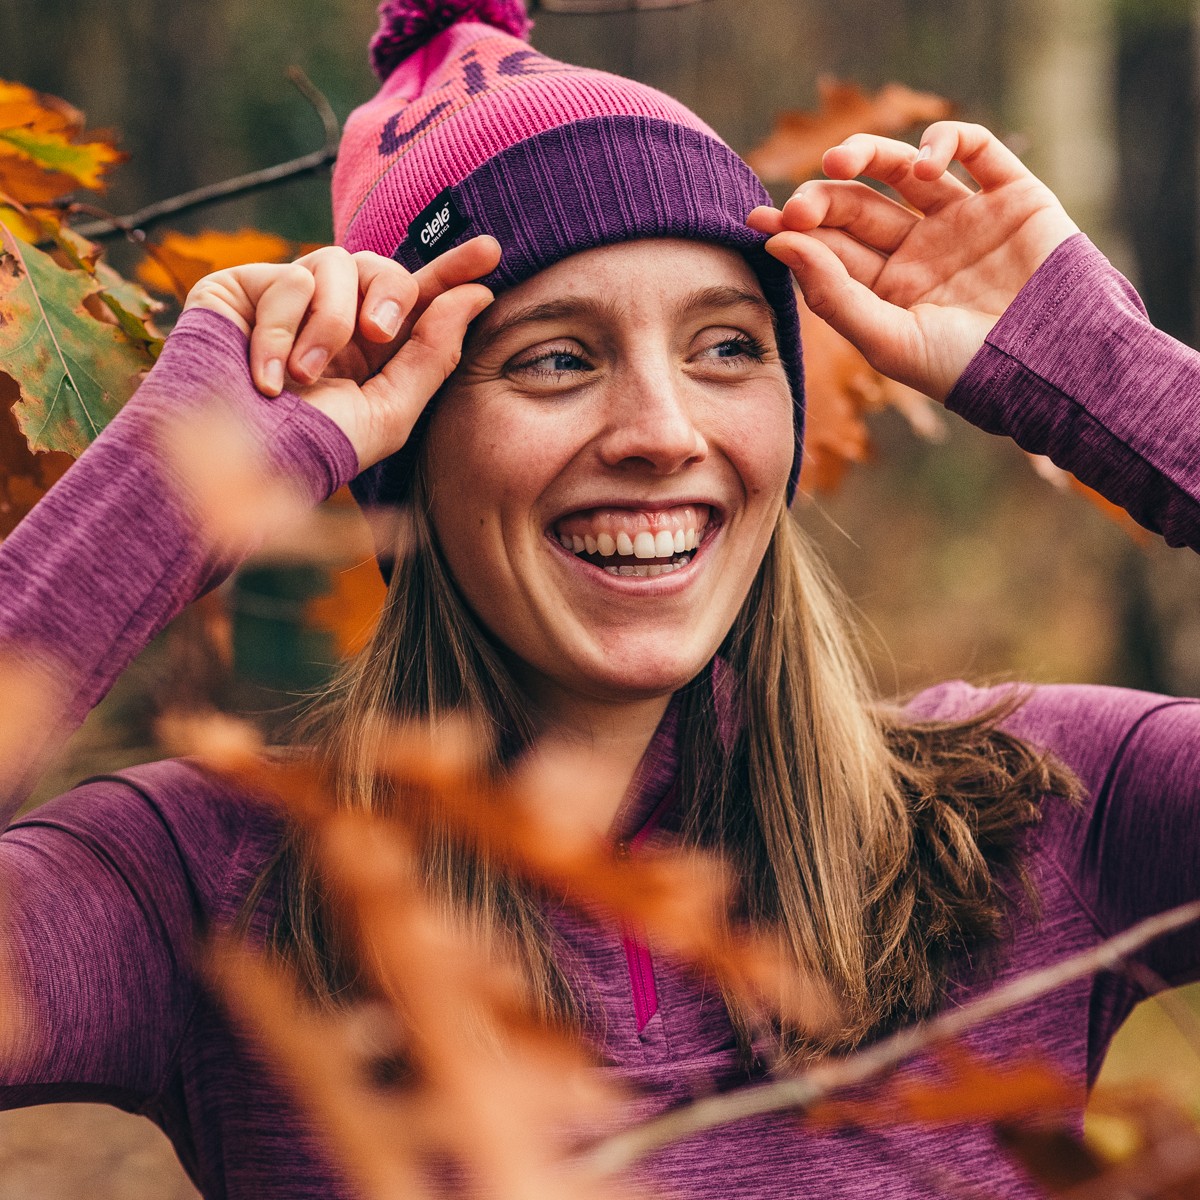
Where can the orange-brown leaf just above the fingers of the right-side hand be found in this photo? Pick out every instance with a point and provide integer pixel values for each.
(794, 151)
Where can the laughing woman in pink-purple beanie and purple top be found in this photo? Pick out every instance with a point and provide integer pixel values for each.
(604, 560)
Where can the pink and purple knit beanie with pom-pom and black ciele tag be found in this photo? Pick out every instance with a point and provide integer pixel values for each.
(475, 133)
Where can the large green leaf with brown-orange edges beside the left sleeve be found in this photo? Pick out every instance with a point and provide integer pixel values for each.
(74, 370)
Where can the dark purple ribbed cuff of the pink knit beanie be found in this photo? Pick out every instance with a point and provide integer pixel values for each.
(596, 183)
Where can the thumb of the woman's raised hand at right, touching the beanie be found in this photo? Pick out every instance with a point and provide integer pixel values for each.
(878, 328)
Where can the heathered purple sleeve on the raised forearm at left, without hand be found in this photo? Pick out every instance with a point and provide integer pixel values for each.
(113, 553)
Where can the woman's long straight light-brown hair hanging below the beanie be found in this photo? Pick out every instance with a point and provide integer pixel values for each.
(885, 848)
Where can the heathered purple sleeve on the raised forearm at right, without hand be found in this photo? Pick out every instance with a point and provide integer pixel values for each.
(1076, 371)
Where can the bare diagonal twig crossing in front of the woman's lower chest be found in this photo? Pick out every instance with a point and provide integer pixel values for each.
(622, 1151)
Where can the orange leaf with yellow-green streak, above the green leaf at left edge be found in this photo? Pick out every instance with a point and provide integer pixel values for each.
(43, 149)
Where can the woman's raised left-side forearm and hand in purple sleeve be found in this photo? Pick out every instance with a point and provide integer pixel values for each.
(117, 549)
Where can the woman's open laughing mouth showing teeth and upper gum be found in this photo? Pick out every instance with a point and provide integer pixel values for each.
(635, 544)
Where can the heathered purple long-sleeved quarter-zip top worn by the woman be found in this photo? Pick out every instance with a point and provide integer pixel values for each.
(110, 884)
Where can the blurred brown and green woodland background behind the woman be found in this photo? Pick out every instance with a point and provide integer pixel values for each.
(962, 561)
